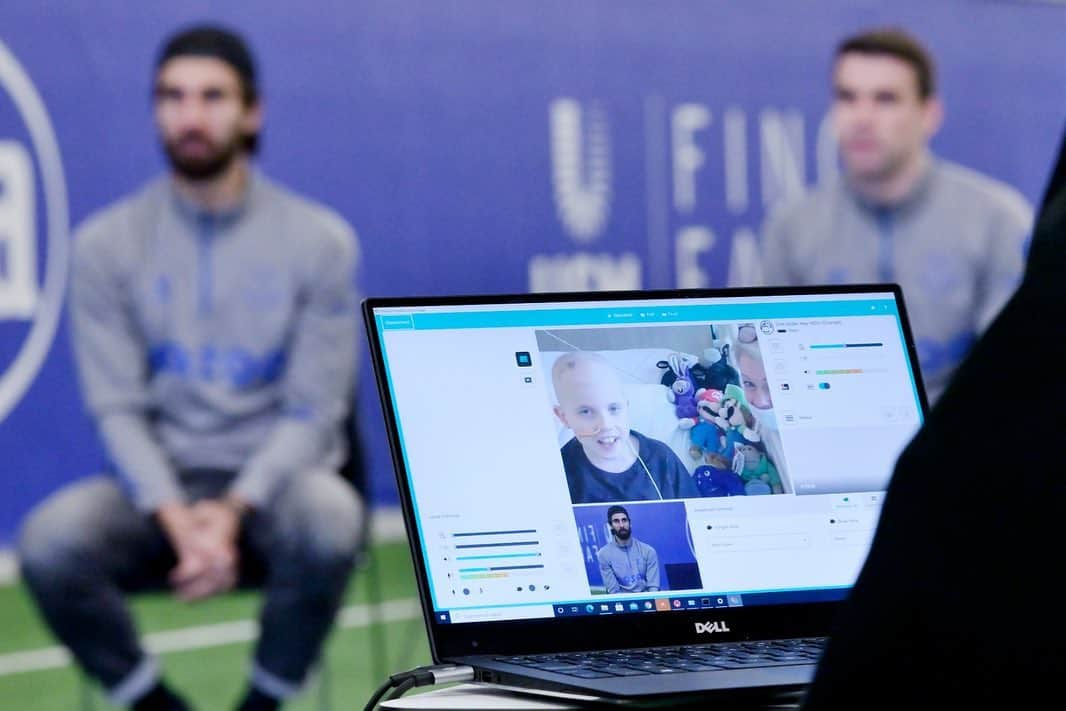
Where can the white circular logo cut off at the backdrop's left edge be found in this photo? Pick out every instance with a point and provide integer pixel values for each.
(22, 299)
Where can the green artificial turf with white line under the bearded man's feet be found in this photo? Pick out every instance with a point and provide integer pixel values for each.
(213, 678)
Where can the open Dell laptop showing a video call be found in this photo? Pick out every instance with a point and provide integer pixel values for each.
(642, 496)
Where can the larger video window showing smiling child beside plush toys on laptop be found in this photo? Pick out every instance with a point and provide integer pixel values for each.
(664, 413)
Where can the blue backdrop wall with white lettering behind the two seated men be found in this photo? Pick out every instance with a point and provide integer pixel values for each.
(476, 147)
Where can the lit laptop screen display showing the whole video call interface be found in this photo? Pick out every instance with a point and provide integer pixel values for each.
(620, 458)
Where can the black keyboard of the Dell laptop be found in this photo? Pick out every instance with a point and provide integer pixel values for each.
(674, 660)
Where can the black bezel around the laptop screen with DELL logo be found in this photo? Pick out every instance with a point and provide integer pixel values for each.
(644, 629)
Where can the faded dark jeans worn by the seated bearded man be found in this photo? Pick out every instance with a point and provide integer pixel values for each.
(86, 546)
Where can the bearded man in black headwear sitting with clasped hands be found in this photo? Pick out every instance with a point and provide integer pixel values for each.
(214, 321)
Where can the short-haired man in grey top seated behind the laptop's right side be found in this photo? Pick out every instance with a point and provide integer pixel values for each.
(952, 238)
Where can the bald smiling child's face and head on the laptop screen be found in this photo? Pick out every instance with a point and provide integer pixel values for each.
(593, 405)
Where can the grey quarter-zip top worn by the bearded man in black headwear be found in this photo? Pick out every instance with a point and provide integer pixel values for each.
(216, 341)
